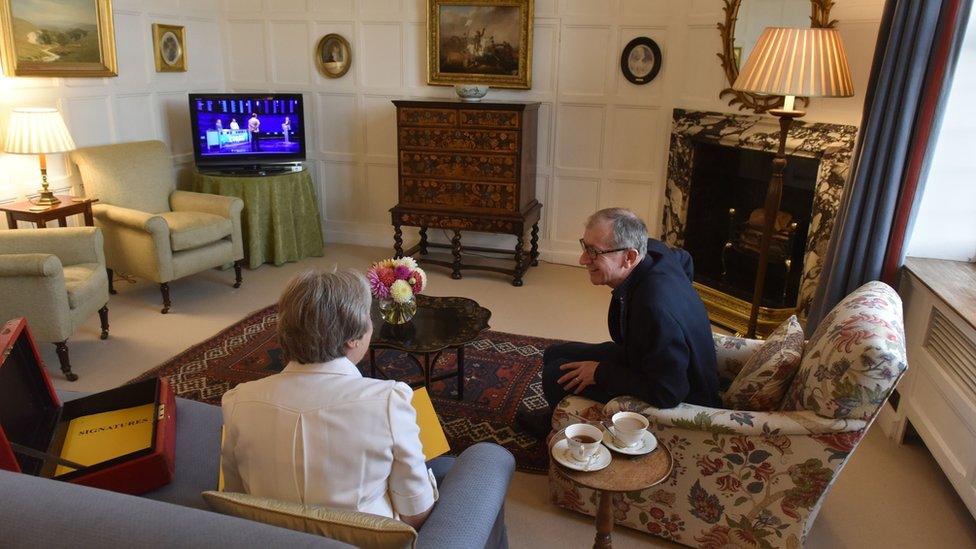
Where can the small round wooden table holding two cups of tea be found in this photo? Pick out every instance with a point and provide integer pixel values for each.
(624, 474)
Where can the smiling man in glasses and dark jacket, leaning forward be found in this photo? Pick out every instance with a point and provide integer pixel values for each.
(662, 350)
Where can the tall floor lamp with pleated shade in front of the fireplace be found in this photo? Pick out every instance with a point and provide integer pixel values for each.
(790, 62)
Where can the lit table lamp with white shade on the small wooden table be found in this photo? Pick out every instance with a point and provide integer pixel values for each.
(38, 131)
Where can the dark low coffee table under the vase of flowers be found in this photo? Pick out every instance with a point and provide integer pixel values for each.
(440, 323)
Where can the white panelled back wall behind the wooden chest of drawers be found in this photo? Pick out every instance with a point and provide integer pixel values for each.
(602, 140)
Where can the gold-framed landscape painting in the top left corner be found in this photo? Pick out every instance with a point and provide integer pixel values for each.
(57, 38)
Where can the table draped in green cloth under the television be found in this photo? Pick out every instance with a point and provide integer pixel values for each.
(280, 221)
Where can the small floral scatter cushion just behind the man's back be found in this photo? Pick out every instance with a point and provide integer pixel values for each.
(764, 379)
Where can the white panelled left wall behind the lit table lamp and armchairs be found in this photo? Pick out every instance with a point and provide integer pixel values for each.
(137, 104)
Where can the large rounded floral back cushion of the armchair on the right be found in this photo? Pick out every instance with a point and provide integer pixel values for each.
(854, 358)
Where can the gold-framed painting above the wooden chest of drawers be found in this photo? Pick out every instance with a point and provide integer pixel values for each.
(480, 42)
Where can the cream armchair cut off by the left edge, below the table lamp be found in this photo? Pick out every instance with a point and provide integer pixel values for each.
(56, 279)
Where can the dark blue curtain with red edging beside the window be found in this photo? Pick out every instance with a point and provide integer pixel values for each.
(918, 45)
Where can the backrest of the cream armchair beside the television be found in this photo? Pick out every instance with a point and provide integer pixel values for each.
(135, 175)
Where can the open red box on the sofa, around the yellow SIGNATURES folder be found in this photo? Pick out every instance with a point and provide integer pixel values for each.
(34, 423)
